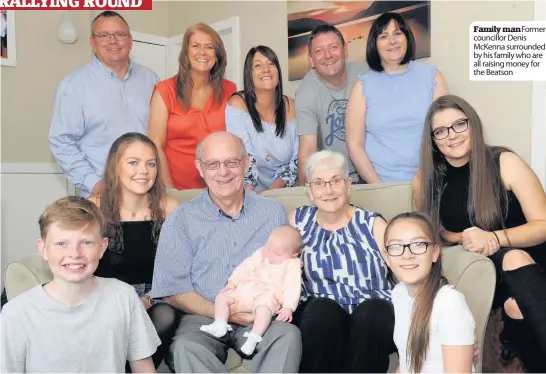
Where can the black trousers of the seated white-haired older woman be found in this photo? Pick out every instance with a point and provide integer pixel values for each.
(335, 341)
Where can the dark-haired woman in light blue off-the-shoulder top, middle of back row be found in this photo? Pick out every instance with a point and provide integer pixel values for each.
(265, 119)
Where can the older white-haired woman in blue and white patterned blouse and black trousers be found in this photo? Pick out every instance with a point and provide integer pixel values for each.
(346, 318)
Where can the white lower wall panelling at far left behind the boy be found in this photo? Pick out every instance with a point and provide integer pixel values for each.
(26, 190)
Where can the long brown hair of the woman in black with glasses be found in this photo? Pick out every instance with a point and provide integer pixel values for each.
(487, 197)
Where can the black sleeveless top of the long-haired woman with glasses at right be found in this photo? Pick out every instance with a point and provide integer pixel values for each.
(454, 215)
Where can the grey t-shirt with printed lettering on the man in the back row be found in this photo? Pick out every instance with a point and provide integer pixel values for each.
(321, 110)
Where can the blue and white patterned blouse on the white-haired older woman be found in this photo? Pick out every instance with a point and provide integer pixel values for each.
(344, 265)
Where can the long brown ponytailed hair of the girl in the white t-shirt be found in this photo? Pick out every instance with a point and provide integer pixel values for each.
(419, 330)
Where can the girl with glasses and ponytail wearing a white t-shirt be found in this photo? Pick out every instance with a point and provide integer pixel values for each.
(434, 328)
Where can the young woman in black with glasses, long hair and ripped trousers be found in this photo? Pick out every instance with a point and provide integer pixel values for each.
(488, 200)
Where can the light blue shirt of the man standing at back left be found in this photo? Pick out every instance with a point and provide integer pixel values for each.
(92, 108)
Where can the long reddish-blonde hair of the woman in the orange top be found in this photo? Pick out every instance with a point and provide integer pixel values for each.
(184, 82)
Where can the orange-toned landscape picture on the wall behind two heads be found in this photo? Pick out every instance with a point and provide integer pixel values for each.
(354, 20)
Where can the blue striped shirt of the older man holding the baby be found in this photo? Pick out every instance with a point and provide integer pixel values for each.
(200, 246)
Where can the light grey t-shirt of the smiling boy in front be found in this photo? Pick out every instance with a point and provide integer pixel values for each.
(40, 335)
